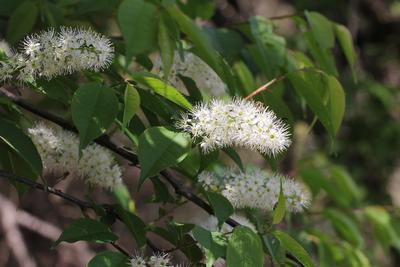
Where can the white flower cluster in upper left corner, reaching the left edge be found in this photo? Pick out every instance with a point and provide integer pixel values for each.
(50, 53)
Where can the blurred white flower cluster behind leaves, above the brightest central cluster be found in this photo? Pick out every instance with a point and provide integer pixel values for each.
(190, 65)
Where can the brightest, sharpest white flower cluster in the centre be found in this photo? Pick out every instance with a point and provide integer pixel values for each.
(239, 123)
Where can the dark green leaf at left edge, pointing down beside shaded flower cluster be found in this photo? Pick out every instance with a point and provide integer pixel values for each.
(21, 144)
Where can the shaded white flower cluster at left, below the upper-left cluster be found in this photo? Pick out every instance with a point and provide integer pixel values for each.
(59, 150)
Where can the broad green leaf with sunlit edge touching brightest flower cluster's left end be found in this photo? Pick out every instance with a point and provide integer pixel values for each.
(160, 148)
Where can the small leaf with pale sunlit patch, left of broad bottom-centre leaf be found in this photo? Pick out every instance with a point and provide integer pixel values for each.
(211, 241)
